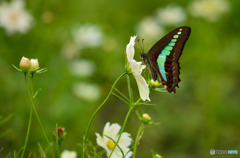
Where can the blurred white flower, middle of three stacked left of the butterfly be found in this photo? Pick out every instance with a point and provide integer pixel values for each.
(82, 68)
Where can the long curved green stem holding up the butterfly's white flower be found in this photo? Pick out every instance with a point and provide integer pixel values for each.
(90, 122)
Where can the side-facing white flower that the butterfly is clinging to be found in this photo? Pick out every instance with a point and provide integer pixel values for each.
(136, 69)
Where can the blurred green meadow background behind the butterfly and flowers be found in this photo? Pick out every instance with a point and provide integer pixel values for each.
(204, 113)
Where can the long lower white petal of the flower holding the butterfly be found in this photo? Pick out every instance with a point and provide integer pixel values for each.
(143, 87)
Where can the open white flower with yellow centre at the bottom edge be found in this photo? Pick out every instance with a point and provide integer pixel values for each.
(112, 132)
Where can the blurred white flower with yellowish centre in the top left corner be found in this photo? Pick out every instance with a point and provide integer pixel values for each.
(14, 17)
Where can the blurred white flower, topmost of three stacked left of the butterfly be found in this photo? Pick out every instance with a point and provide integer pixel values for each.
(88, 35)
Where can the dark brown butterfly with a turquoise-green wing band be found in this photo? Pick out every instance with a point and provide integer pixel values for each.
(162, 58)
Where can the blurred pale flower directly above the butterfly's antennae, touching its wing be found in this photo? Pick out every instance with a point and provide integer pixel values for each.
(149, 29)
